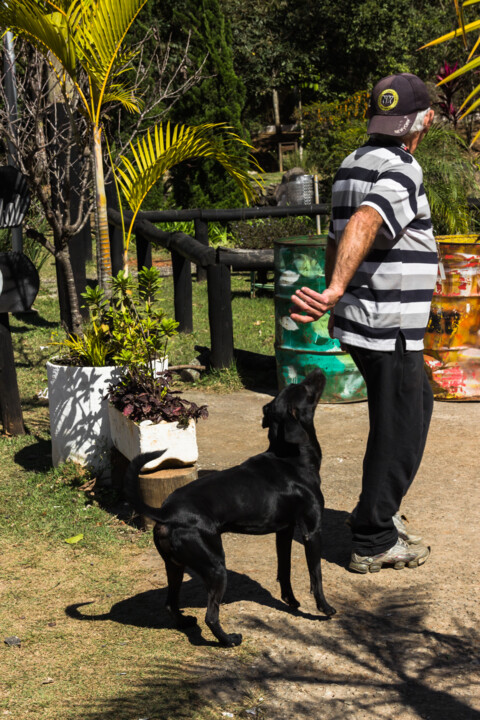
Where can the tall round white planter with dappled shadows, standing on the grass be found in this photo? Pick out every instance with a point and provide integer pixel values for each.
(79, 423)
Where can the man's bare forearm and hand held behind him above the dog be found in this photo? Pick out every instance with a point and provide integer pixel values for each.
(355, 244)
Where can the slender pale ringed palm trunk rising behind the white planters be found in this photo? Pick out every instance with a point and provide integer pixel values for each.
(104, 262)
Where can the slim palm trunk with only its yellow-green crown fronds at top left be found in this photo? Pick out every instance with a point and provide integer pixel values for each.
(84, 35)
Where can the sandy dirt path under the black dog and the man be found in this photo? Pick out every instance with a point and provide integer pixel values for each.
(404, 644)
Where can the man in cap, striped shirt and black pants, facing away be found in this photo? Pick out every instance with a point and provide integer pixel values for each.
(381, 269)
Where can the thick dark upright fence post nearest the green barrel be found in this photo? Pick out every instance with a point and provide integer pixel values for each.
(220, 315)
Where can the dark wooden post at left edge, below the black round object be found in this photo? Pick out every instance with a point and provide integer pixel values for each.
(10, 407)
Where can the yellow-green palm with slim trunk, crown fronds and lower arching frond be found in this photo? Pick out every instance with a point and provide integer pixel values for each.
(83, 42)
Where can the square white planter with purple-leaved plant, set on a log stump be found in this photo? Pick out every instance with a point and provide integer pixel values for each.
(131, 439)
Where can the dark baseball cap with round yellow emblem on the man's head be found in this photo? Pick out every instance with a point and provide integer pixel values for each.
(394, 104)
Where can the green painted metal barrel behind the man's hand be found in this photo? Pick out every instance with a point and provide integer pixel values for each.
(299, 348)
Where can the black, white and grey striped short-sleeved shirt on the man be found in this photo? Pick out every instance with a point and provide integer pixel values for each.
(392, 289)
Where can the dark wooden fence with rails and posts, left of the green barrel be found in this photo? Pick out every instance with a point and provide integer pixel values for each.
(213, 264)
